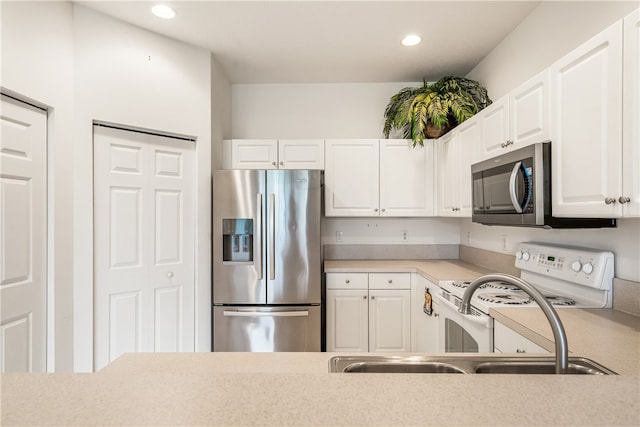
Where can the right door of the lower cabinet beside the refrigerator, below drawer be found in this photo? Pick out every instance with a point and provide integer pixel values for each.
(389, 320)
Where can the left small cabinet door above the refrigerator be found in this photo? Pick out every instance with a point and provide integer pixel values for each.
(254, 154)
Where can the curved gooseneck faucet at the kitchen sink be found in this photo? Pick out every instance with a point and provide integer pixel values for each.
(559, 335)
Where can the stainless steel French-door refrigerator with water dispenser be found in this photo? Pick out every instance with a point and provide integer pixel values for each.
(266, 260)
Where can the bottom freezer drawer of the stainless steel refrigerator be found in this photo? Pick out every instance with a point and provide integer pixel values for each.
(266, 329)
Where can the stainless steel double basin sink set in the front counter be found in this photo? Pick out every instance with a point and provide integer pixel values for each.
(462, 365)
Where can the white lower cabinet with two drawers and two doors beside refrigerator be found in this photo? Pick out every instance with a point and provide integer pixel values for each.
(368, 312)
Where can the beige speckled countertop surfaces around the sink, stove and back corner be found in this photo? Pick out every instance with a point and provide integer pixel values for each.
(297, 389)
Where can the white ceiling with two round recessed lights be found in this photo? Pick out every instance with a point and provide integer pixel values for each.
(333, 41)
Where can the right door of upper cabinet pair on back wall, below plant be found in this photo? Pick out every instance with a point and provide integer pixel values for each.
(406, 178)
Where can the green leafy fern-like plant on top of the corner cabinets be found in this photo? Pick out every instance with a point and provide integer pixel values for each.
(432, 110)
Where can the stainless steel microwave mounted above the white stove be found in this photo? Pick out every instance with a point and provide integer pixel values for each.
(515, 189)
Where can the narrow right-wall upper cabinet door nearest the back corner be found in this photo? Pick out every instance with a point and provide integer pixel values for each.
(448, 175)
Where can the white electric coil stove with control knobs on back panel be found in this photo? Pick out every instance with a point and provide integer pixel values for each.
(569, 277)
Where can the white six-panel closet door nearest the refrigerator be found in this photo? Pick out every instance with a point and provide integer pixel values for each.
(144, 218)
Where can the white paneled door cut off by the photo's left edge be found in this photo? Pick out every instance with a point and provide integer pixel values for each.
(23, 237)
